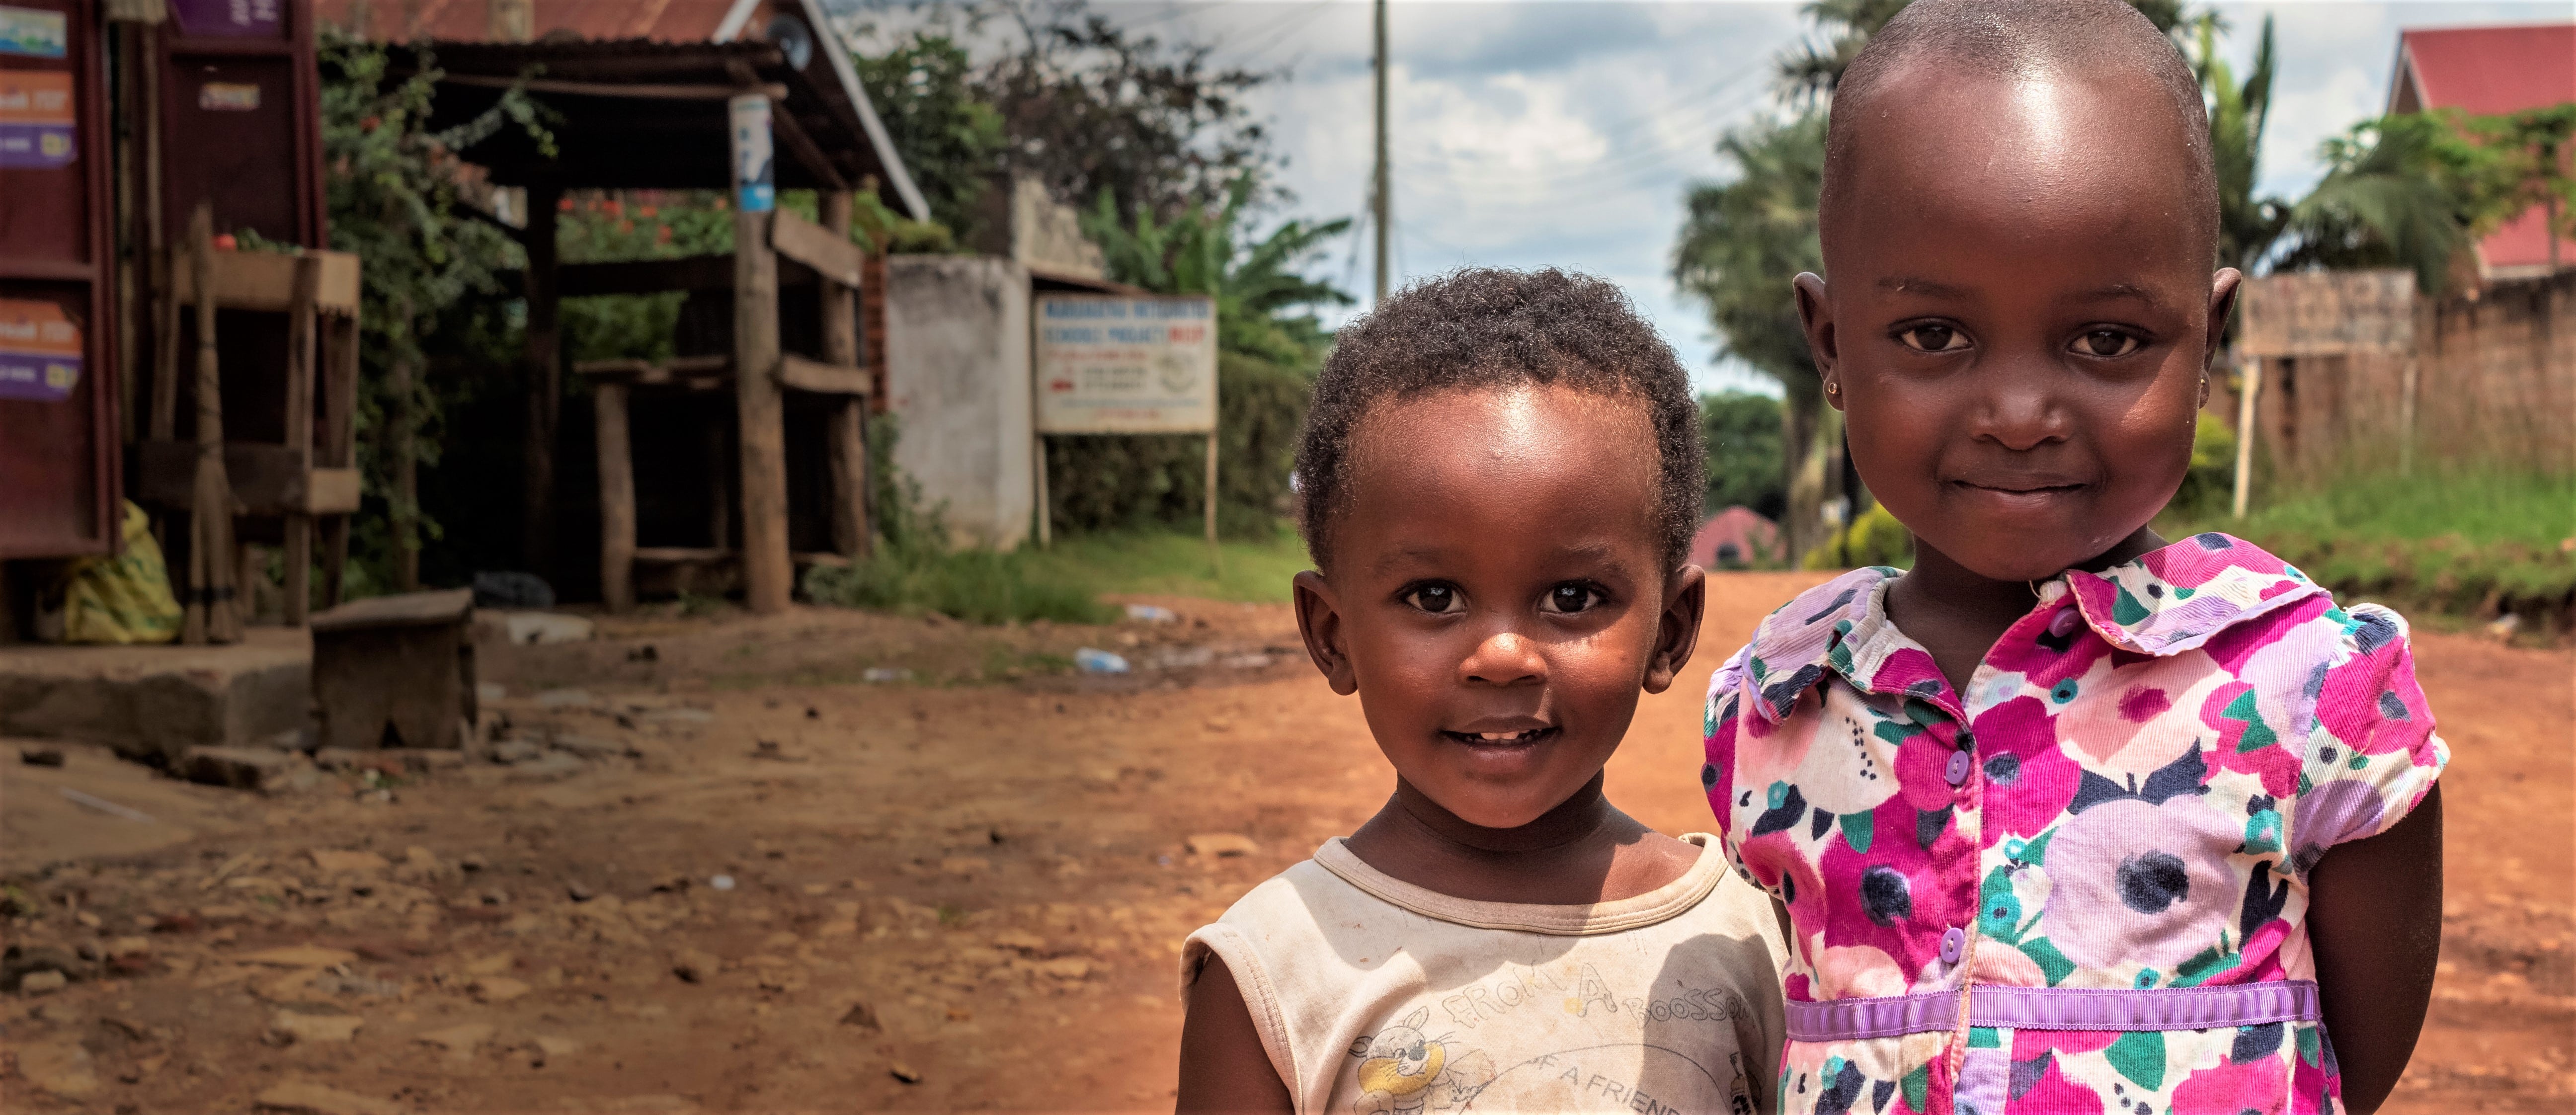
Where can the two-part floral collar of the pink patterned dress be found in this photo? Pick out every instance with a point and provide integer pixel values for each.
(2157, 604)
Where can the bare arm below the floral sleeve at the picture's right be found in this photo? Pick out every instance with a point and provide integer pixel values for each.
(2376, 926)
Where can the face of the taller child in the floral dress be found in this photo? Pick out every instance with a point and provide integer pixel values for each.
(2021, 313)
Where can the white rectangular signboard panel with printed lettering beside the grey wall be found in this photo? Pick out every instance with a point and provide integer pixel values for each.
(1127, 364)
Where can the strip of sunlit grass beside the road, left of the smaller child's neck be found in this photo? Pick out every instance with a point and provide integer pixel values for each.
(1168, 563)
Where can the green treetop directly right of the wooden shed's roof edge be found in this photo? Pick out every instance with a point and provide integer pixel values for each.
(952, 138)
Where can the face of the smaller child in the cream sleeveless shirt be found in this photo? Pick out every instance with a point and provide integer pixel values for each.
(1498, 594)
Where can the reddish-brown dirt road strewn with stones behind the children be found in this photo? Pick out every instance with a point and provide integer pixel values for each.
(751, 879)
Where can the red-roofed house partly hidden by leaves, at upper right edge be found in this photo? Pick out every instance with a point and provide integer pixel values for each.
(2492, 71)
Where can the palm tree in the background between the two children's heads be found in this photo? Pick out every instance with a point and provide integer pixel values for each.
(1740, 248)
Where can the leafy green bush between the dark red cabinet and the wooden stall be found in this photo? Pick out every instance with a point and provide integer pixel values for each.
(431, 272)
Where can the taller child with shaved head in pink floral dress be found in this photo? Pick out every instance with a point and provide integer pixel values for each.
(2070, 818)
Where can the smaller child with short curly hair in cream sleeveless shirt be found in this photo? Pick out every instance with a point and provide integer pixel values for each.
(1501, 478)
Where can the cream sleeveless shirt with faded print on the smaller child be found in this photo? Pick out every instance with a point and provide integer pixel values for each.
(1374, 995)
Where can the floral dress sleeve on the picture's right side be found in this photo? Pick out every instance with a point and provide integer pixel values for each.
(2374, 753)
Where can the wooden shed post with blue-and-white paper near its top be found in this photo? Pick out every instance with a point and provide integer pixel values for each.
(769, 573)
